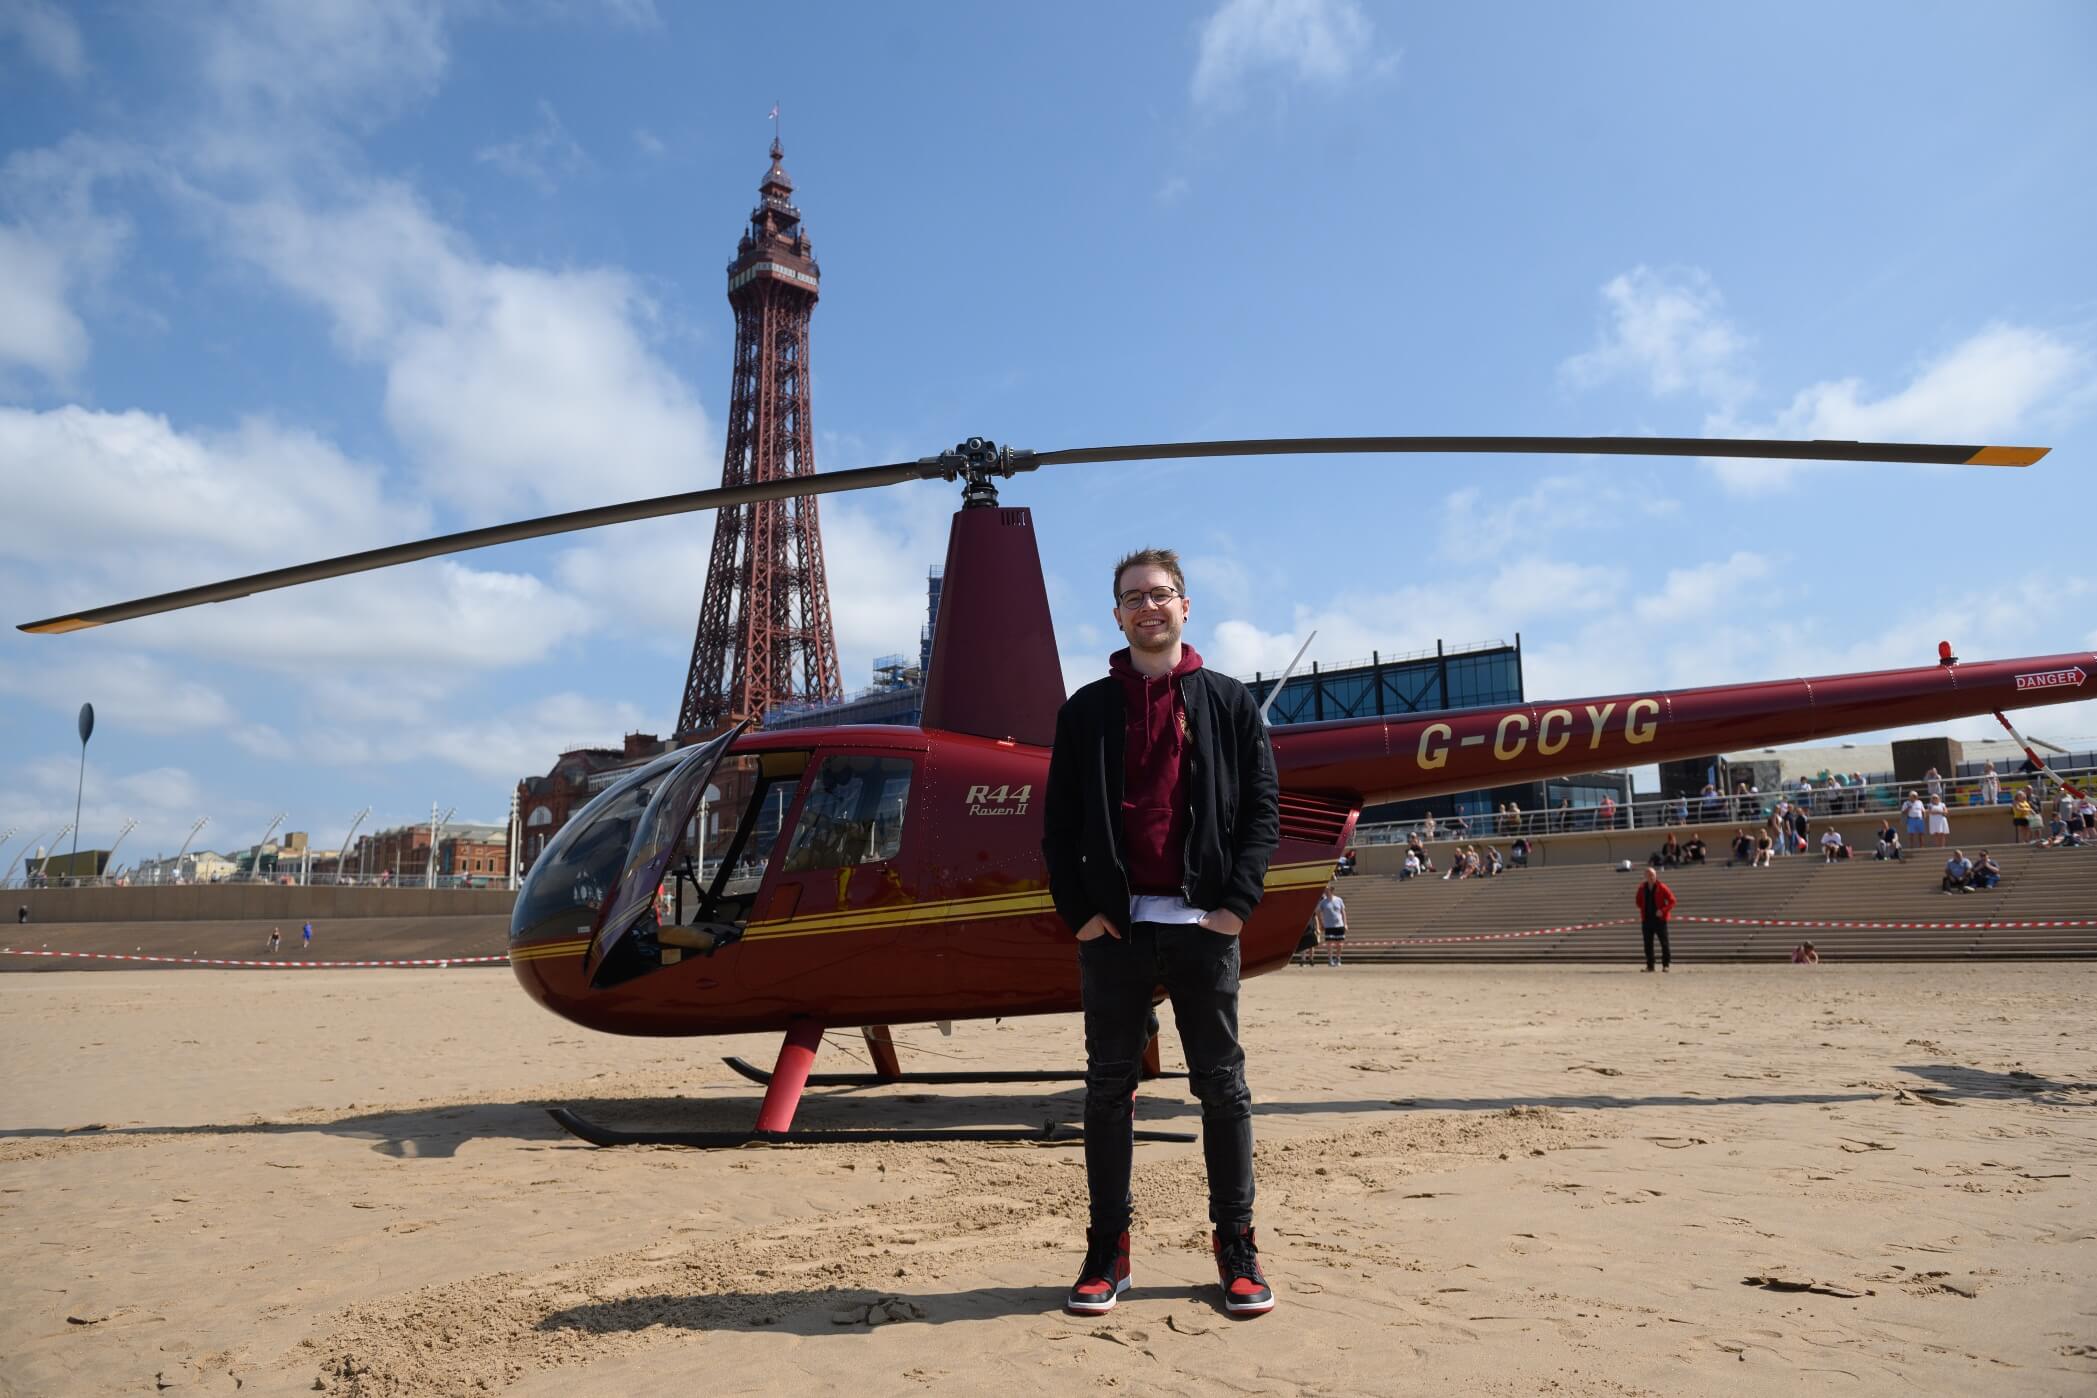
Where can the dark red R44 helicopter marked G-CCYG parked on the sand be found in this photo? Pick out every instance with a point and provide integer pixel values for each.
(863, 877)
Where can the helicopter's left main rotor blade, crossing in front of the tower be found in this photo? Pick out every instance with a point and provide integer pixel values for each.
(660, 506)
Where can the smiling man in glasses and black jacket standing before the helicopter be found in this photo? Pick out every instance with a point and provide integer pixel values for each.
(1161, 816)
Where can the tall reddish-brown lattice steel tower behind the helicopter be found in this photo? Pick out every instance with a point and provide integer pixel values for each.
(764, 628)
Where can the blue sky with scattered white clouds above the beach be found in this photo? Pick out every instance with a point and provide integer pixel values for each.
(288, 280)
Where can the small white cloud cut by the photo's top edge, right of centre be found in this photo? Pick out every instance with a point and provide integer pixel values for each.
(1314, 43)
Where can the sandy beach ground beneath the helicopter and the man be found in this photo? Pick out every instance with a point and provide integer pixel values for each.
(1490, 1181)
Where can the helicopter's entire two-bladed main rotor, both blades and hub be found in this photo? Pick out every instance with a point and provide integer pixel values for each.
(957, 462)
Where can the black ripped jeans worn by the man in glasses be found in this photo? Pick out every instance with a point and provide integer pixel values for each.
(1201, 976)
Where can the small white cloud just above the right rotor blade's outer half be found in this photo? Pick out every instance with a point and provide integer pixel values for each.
(1666, 330)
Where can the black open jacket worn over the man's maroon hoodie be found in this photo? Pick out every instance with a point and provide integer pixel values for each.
(1236, 804)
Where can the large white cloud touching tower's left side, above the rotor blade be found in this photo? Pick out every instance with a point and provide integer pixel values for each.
(515, 389)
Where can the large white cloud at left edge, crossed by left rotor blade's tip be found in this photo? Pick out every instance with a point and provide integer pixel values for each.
(129, 506)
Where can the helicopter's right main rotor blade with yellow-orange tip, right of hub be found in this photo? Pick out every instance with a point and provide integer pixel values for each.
(1769, 450)
